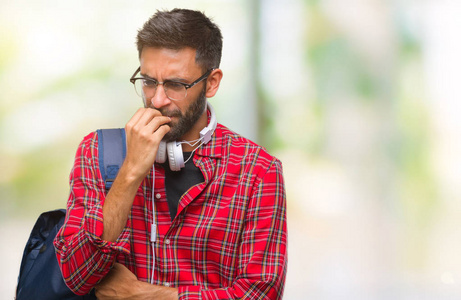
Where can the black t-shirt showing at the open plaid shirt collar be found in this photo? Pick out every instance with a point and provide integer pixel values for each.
(178, 182)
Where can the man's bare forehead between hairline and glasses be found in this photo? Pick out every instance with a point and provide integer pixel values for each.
(163, 62)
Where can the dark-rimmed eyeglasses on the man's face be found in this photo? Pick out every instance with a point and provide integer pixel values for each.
(174, 90)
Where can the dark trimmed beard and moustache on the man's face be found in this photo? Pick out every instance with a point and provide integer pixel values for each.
(187, 119)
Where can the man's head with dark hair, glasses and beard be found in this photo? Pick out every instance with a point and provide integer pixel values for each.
(179, 49)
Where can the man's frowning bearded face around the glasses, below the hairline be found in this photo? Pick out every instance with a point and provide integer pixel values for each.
(178, 65)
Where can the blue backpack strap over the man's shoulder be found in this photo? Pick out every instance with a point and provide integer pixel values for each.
(112, 152)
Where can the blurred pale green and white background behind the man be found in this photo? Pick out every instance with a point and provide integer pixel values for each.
(358, 98)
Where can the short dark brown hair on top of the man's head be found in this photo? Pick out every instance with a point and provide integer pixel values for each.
(181, 28)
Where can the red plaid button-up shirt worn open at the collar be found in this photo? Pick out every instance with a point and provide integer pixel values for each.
(228, 239)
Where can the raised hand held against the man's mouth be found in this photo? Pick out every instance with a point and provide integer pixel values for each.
(144, 132)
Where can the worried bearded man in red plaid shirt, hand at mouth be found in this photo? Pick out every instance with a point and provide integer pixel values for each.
(215, 229)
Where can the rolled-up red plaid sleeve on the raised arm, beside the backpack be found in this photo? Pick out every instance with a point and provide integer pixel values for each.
(84, 258)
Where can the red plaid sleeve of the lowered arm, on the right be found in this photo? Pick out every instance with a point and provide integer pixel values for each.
(263, 250)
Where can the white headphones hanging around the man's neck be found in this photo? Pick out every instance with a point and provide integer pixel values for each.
(173, 150)
